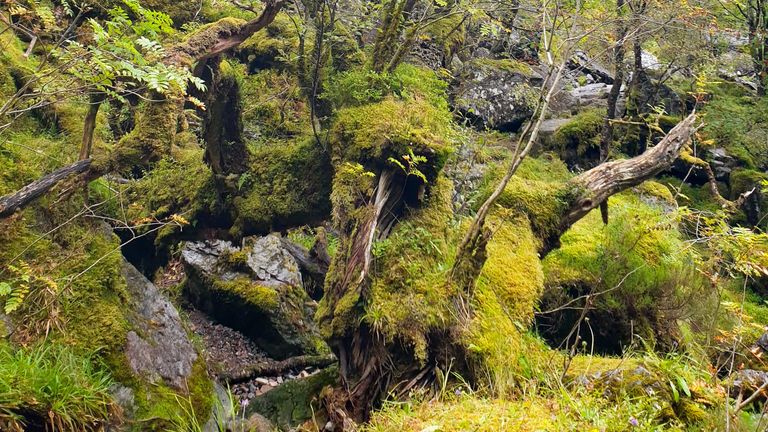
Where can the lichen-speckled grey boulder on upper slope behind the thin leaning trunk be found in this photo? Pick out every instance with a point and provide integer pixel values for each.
(494, 96)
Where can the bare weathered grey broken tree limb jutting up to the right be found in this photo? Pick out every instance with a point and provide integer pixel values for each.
(592, 187)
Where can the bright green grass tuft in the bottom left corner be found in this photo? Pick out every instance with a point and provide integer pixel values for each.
(49, 387)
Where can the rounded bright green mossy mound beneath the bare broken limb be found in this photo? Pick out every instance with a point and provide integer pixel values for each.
(643, 255)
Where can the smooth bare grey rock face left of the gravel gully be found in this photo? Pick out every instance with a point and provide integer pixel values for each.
(158, 348)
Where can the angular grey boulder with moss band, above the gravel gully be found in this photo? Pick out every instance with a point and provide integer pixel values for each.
(256, 289)
